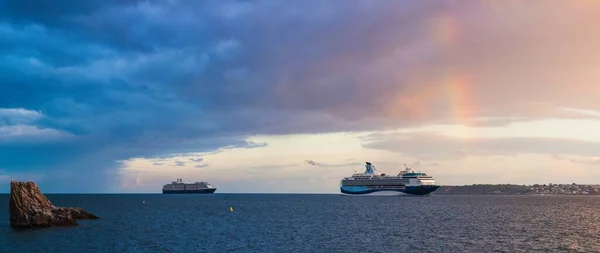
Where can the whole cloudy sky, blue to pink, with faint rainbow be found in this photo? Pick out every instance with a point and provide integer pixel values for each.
(110, 96)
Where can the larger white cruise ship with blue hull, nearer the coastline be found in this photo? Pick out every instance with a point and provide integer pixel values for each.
(375, 182)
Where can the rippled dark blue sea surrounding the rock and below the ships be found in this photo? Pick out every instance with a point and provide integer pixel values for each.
(316, 223)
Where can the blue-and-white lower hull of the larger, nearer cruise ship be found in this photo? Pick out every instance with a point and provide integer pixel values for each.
(422, 190)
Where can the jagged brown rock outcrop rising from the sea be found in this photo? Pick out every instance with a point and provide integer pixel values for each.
(29, 208)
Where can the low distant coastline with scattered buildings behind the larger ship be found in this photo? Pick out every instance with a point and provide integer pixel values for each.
(514, 189)
